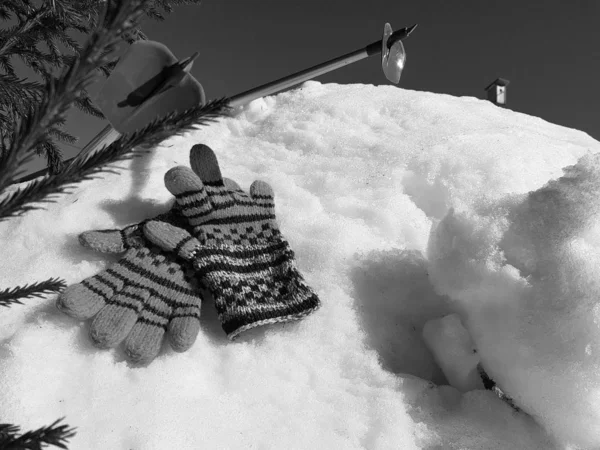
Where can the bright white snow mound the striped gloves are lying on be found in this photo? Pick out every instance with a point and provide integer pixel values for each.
(404, 209)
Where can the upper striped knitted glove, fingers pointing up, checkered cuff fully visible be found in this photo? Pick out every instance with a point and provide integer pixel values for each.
(237, 249)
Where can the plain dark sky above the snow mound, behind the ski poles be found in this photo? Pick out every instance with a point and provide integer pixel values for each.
(549, 50)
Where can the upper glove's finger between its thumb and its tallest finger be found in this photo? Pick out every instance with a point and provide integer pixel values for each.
(190, 193)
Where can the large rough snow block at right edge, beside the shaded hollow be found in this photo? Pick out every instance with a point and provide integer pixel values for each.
(525, 270)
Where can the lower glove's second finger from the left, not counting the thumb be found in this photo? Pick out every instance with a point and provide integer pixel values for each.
(114, 322)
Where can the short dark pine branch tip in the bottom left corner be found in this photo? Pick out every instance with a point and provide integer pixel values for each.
(56, 435)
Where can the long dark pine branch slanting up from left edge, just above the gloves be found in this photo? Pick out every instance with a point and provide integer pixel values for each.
(17, 203)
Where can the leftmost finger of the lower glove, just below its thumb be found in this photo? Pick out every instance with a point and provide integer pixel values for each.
(83, 300)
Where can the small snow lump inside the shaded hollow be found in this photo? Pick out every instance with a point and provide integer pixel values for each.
(453, 350)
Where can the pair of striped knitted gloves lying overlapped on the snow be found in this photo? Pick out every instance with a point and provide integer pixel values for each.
(215, 236)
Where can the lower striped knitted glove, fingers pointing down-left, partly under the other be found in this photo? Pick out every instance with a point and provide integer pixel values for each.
(138, 298)
